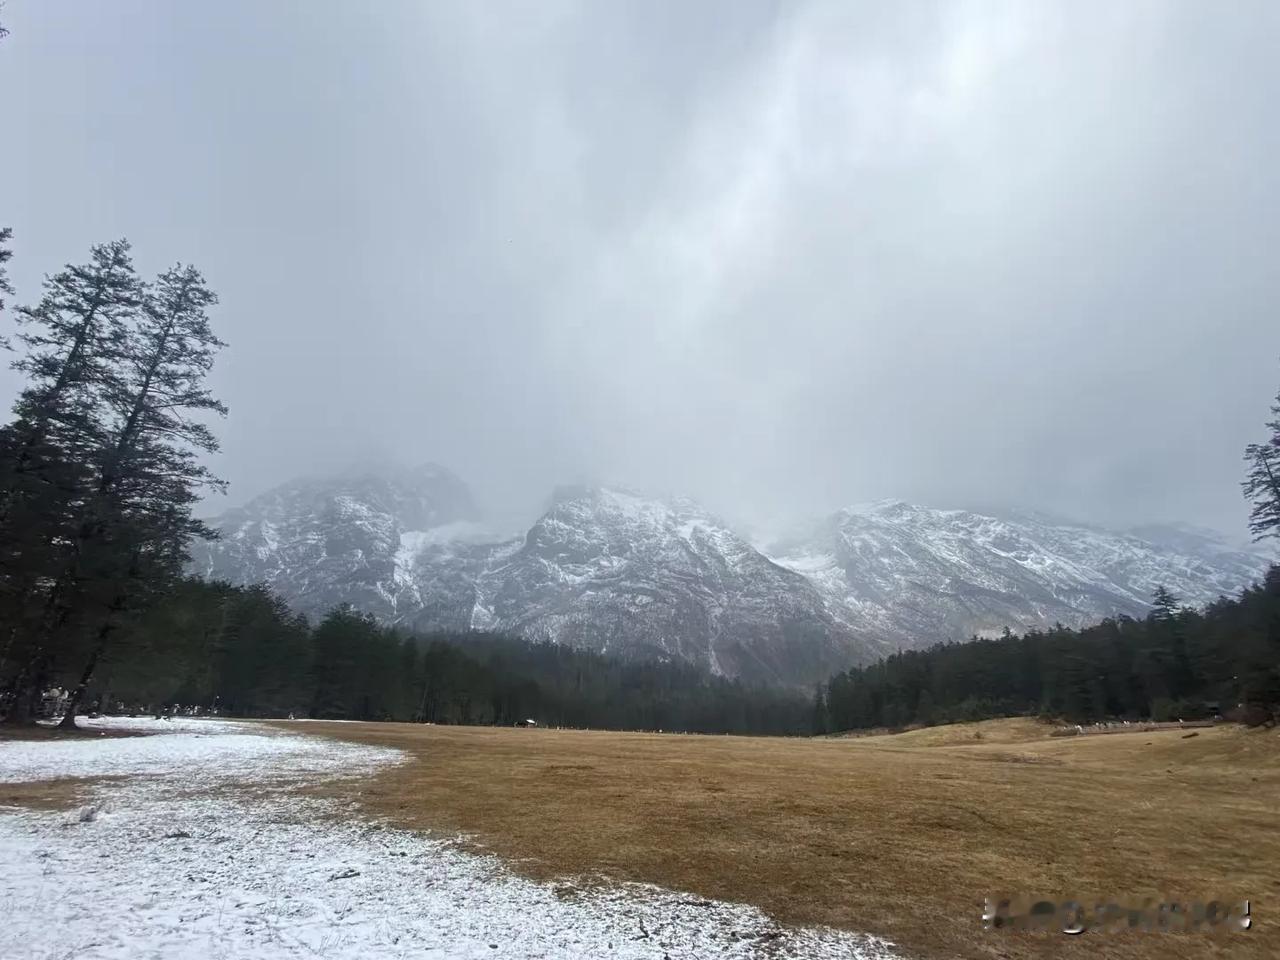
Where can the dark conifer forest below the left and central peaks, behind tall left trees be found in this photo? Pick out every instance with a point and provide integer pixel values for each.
(245, 652)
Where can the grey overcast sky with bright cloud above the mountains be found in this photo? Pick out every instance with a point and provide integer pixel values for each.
(776, 257)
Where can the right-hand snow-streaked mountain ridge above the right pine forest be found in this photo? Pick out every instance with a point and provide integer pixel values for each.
(912, 575)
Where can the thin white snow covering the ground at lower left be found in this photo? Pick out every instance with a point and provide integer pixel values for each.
(181, 863)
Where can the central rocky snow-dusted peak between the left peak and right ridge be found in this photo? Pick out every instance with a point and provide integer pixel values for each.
(623, 574)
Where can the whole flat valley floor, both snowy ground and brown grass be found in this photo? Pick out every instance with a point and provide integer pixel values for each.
(353, 840)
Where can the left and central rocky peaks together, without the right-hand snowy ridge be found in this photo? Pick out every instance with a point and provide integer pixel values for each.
(602, 569)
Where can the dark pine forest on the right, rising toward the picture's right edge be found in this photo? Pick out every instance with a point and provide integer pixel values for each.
(1176, 665)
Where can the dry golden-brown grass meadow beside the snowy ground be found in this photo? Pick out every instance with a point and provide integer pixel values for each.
(899, 835)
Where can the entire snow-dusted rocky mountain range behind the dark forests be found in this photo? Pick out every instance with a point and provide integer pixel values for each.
(636, 577)
